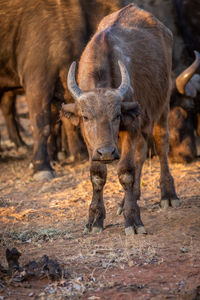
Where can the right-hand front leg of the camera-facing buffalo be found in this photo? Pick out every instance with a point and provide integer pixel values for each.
(126, 174)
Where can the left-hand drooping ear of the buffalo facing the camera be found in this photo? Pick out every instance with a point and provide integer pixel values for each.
(70, 111)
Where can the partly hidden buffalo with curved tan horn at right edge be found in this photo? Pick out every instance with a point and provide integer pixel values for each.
(183, 116)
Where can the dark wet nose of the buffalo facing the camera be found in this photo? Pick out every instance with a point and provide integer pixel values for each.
(106, 154)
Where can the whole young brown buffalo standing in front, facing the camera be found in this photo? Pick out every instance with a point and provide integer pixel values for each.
(123, 90)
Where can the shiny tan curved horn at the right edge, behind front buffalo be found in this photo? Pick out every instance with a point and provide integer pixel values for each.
(186, 75)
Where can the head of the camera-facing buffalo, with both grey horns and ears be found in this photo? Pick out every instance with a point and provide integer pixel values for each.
(101, 111)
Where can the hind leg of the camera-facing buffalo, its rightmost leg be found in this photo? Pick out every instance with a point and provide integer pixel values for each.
(161, 137)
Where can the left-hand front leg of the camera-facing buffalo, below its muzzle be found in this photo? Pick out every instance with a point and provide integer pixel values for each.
(97, 213)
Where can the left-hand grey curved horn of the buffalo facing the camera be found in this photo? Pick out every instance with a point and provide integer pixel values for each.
(71, 82)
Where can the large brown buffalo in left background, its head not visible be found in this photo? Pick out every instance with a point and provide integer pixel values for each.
(38, 41)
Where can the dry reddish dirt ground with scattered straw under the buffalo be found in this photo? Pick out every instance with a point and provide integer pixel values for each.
(48, 218)
